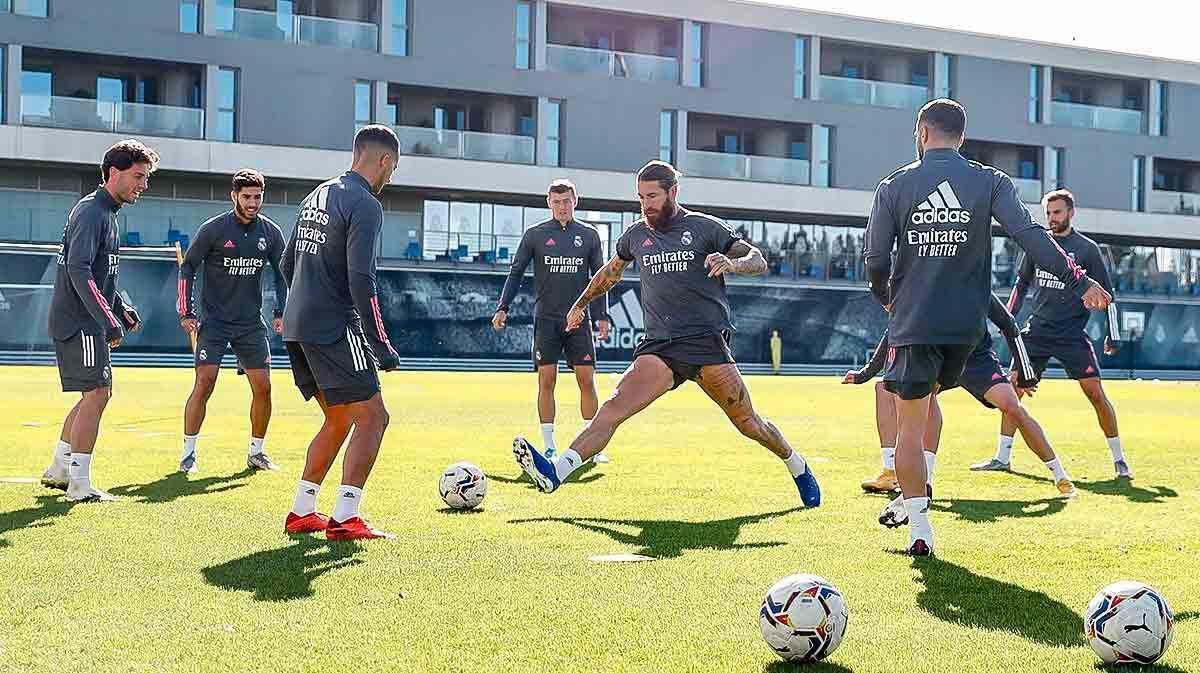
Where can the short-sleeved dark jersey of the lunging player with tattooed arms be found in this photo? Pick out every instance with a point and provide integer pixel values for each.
(679, 298)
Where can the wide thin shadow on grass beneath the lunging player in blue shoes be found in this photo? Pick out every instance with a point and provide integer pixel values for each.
(671, 539)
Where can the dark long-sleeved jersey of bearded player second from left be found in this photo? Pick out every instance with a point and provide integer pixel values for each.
(235, 257)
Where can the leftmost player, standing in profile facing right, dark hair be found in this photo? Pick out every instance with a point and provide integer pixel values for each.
(88, 316)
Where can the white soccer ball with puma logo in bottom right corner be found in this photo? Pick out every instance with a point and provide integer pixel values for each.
(1130, 622)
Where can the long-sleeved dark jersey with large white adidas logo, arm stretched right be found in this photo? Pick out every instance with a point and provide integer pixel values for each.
(938, 214)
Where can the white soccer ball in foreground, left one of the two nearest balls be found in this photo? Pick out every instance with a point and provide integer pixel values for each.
(803, 618)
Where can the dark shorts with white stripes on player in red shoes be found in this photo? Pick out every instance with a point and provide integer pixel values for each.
(345, 371)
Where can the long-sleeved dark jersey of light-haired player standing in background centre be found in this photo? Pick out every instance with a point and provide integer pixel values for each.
(565, 259)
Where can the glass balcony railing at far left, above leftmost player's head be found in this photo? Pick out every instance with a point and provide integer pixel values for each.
(89, 115)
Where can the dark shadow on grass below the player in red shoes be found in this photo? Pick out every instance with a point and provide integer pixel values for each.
(285, 574)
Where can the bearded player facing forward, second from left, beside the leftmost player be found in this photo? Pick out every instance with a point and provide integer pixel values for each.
(235, 249)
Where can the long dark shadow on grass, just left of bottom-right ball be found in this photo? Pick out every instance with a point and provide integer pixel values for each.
(955, 594)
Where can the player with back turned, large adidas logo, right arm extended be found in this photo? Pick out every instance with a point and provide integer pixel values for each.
(938, 214)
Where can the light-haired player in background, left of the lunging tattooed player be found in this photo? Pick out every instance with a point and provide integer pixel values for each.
(566, 254)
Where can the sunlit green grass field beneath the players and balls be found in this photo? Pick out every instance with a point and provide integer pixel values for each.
(195, 574)
